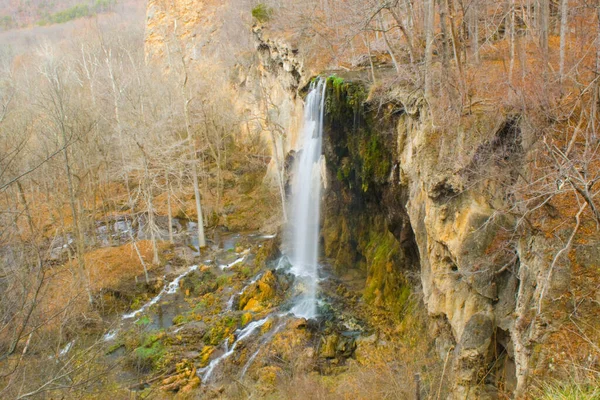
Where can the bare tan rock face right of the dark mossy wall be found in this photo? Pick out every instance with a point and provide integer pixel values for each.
(468, 269)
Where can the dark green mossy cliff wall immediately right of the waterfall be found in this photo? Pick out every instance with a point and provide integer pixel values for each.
(360, 219)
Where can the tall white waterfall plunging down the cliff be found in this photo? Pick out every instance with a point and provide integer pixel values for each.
(306, 196)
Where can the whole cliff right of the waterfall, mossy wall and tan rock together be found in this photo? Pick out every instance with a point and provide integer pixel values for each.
(402, 199)
